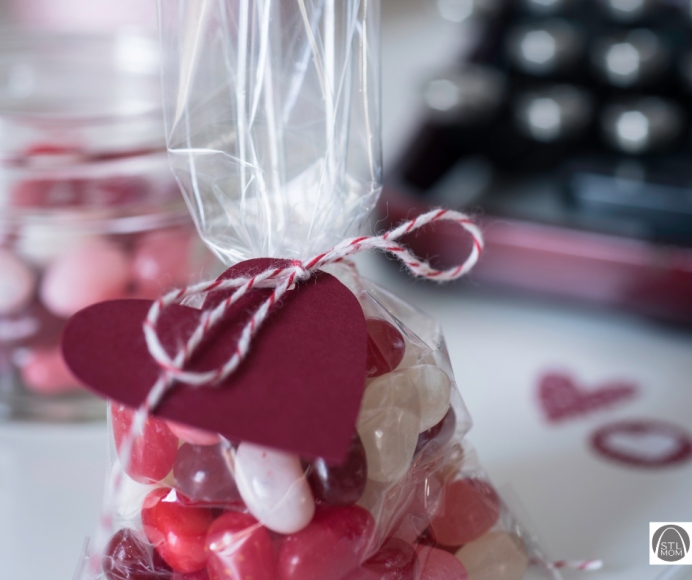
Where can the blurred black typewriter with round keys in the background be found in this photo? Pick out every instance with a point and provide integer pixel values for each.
(568, 127)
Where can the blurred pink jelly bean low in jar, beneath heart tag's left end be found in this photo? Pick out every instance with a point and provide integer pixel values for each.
(44, 371)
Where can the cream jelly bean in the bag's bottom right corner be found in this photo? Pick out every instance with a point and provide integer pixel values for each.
(496, 556)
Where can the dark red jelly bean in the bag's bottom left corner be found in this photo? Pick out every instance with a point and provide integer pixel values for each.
(127, 558)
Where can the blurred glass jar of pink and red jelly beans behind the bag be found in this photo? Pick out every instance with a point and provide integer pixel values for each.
(89, 210)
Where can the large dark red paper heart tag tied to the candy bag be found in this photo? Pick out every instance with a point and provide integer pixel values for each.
(299, 389)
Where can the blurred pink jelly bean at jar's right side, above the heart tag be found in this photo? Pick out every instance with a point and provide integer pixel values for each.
(161, 261)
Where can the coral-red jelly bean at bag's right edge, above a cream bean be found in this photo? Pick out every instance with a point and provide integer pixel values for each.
(469, 508)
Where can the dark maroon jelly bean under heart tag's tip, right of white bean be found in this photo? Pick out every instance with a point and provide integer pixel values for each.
(340, 484)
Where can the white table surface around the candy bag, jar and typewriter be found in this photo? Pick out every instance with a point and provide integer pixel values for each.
(51, 477)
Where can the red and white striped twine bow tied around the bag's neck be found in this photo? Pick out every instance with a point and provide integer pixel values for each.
(281, 280)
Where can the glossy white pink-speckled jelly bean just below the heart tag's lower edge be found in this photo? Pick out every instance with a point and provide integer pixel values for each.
(274, 488)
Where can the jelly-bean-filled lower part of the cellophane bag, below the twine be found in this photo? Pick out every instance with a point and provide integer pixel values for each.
(408, 503)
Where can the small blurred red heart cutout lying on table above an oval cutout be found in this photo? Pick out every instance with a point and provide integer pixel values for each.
(561, 398)
